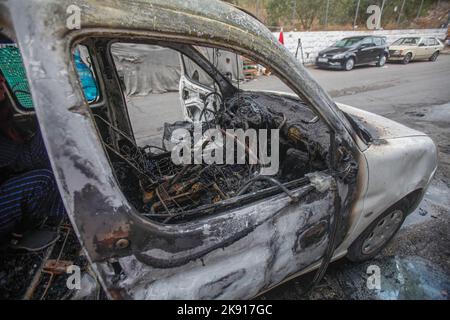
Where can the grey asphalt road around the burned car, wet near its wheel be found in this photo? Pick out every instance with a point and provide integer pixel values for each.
(416, 264)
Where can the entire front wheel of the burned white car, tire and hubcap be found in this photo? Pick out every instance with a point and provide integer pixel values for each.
(377, 235)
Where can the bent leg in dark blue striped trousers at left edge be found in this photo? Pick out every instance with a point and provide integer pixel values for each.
(28, 200)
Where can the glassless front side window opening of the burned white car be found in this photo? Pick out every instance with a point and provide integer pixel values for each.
(163, 88)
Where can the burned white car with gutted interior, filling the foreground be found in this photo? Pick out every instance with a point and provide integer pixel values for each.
(153, 228)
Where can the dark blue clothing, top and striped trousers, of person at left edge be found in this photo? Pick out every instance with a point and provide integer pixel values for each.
(28, 198)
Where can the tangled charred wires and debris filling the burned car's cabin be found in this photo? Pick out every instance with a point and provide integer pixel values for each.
(171, 193)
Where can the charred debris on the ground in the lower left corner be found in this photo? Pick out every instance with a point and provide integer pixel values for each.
(43, 275)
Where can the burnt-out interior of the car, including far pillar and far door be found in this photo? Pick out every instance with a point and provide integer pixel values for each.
(169, 193)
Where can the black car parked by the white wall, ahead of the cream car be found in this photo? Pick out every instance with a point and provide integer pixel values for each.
(354, 51)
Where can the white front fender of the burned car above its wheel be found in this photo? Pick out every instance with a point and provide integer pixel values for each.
(396, 168)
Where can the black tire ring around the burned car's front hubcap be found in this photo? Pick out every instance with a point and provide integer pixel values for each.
(357, 252)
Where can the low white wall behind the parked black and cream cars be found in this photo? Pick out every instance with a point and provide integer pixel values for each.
(315, 41)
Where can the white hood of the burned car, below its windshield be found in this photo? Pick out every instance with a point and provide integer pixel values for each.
(379, 128)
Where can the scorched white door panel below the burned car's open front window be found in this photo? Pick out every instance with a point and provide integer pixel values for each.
(247, 216)
